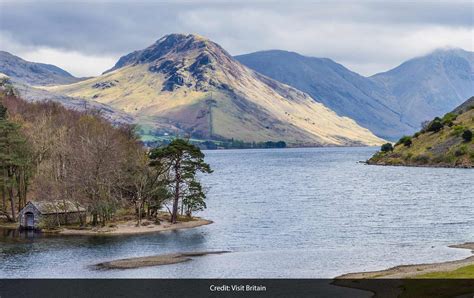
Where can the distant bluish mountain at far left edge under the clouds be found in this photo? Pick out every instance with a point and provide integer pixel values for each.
(33, 73)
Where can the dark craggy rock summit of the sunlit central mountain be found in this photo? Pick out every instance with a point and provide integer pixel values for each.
(185, 60)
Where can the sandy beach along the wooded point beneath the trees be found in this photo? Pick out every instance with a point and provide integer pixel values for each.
(130, 228)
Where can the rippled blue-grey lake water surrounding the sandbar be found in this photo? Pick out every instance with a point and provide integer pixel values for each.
(283, 213)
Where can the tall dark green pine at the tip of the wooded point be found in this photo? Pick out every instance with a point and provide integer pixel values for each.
(182, 161)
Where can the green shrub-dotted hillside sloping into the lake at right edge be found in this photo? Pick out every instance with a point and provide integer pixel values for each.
(444, 142)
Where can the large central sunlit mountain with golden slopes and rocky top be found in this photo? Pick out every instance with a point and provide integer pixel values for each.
(189, 84)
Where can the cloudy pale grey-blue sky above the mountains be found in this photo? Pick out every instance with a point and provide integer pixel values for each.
(87, 37)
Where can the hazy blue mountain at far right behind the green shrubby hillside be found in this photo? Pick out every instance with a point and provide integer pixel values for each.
(431, 85)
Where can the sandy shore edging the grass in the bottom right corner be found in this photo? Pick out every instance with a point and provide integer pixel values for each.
(411, 271)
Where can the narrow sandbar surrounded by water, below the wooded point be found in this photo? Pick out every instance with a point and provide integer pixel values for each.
(157, 260)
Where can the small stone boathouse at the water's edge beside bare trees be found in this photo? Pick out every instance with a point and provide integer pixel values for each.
(37, 214)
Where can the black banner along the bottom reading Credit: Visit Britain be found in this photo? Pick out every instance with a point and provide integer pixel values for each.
(91, 288)
